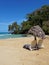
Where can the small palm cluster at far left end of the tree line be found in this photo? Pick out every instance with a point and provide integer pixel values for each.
(14, 28)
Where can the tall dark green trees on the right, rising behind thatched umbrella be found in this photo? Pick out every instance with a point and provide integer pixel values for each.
(40, 17)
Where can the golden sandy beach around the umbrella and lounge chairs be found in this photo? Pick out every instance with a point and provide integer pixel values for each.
(12, 52)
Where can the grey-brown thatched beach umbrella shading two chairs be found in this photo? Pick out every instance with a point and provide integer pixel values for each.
(37, 32)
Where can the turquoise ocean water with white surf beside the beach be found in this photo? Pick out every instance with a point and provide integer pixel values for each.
(5, 35)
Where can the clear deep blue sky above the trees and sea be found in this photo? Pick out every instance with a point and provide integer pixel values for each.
(16, 10)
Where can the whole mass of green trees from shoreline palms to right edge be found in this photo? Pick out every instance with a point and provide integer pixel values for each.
(38, 17)
